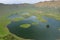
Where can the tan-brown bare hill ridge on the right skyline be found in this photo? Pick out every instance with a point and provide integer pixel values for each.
(48, 3)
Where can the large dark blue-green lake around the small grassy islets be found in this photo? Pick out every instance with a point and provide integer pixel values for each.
(36, 32)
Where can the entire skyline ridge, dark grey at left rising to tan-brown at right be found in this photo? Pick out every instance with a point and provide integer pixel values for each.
(39, 4)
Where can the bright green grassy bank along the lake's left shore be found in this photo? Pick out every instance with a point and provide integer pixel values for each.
(3, 29)
